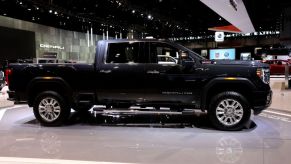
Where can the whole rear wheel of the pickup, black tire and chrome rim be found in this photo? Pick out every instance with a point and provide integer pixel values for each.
(60, 110)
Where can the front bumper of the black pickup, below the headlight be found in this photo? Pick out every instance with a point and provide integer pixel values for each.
(261, 100)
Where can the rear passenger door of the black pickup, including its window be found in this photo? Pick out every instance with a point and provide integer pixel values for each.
(120, 74)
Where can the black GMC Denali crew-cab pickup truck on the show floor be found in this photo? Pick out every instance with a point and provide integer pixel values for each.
(146, 73)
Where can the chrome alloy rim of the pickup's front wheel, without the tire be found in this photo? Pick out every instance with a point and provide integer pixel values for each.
(229, 112)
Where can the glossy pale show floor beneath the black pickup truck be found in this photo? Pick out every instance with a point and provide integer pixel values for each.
(149, 137)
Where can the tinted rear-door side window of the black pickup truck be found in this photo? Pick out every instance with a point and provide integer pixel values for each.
(123, 53)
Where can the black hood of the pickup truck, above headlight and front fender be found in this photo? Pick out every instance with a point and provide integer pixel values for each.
(238, 63)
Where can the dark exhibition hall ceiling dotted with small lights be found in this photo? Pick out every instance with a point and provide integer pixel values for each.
(159, 18)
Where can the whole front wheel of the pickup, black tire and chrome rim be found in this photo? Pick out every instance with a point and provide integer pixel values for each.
(218, 110)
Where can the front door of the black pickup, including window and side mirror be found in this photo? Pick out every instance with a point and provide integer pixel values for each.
(168, 80)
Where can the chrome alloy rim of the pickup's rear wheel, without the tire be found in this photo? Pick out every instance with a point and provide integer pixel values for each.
(49, 109)
